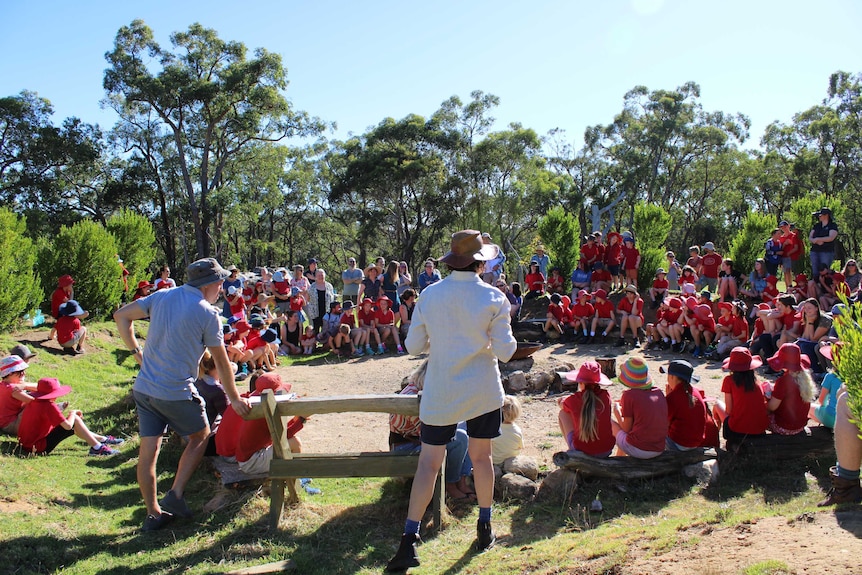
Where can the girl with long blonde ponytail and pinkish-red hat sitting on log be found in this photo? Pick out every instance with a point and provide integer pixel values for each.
(585, 416)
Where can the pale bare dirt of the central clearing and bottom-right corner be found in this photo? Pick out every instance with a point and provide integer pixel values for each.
(819, 543)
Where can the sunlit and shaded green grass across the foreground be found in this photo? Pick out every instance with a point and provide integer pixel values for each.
(73, 514)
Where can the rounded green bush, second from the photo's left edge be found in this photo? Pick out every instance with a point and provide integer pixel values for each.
(87, 252)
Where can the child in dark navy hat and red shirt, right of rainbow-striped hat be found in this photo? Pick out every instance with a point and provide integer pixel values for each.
(690, 425)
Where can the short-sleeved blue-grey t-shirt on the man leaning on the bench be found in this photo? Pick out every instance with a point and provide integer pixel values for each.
(182, 325)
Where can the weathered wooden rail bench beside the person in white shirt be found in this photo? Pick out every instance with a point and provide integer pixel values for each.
(286, 467)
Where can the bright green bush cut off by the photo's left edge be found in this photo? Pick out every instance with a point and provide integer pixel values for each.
(21, 291)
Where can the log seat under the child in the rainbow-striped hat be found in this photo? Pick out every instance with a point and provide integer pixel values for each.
(627, 468)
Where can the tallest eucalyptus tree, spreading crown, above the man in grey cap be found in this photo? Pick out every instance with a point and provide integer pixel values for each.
(212, 99)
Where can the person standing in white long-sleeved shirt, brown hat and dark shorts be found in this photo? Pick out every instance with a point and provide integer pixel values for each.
(462, 382)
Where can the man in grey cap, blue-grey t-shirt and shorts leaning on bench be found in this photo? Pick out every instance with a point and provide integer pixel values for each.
(183, 323)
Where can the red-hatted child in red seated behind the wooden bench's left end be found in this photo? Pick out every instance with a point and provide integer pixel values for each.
(254, 442)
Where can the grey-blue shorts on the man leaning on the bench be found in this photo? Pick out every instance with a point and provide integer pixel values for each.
(186, 417)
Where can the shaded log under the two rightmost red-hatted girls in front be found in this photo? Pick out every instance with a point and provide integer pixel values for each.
(812, 442)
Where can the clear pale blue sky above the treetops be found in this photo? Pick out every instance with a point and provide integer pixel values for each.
(553, 64)
